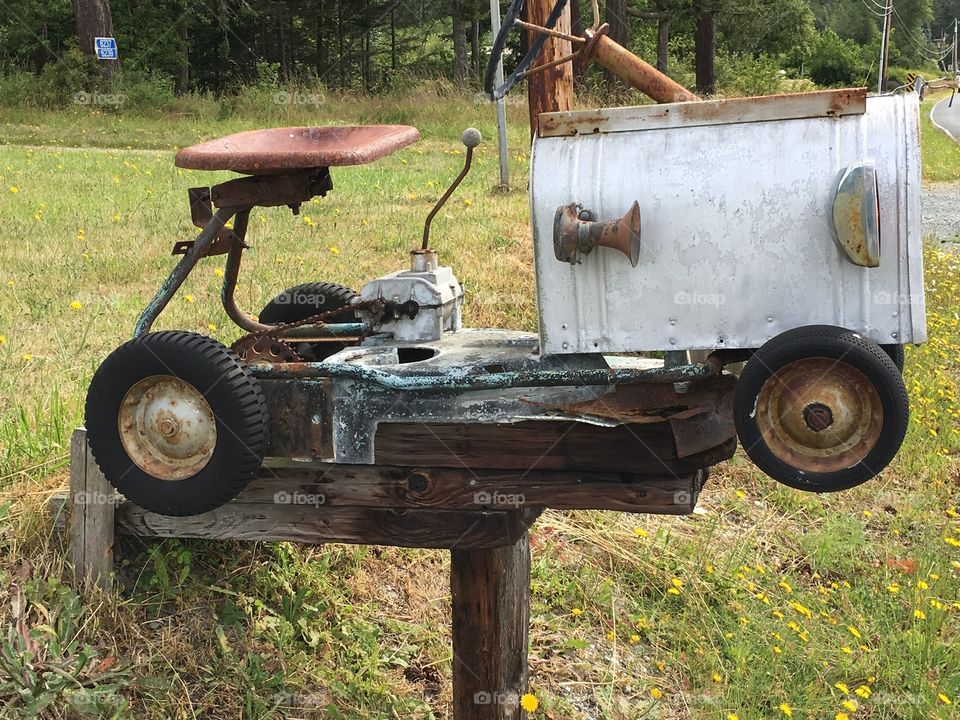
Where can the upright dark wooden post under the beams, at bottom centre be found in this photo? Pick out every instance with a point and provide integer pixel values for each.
(491, 615)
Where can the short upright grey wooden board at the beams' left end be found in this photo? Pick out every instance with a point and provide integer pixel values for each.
(91, 516)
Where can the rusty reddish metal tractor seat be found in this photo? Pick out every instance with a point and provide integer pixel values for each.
(278, 151)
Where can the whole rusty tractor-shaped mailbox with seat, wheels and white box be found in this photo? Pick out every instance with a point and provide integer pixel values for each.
(780, 231)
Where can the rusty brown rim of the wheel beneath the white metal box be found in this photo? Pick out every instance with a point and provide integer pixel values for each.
(819, 415)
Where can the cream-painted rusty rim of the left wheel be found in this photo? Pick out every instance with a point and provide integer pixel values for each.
(167, 427)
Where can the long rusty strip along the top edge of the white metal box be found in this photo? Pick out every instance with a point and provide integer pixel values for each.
(823, 104)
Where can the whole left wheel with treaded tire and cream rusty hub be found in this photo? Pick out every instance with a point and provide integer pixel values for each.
(176, 422)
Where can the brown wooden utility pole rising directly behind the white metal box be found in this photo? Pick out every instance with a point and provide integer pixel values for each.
(549, 90)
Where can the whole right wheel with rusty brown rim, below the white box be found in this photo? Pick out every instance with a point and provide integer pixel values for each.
(821, 408)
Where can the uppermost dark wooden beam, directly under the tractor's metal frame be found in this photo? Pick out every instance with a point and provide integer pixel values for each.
(541, 445)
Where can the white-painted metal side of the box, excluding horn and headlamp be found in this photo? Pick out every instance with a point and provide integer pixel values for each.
(736, 238)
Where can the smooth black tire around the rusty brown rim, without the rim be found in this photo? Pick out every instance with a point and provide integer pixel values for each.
(822, 341)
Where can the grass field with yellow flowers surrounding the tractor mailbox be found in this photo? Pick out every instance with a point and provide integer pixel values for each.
(766, 603)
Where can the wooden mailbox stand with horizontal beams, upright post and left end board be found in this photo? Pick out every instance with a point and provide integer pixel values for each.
(406, 506)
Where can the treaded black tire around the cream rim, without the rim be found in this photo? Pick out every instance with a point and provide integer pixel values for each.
(234, 397)
